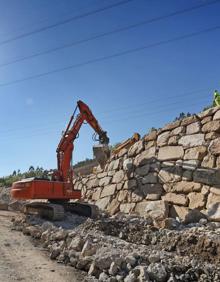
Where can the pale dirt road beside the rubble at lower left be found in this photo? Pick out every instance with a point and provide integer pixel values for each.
(20, 260)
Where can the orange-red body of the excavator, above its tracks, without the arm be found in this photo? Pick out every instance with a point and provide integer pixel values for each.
(32, 188)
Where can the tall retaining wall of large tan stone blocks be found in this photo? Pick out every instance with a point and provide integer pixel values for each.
(167, 173)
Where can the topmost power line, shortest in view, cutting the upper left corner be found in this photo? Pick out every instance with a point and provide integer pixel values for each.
(63, 22)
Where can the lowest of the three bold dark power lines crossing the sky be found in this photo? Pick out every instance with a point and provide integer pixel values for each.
(115, 55)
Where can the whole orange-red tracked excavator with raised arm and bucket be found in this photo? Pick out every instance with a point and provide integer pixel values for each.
(59, 189)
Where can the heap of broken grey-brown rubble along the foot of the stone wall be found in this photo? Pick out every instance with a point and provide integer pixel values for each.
(130, 248)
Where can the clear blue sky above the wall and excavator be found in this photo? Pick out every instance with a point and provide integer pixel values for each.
(128, 88)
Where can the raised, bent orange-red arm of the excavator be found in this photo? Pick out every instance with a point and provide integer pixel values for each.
(65, 147)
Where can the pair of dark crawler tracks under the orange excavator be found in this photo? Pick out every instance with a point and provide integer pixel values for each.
(56, 211)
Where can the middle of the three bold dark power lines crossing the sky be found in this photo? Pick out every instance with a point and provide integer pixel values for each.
(112, 32)
